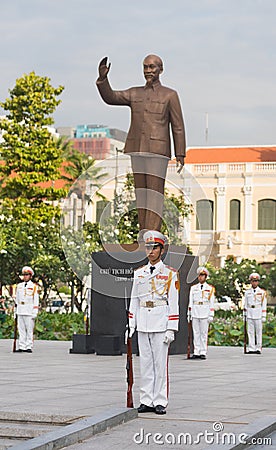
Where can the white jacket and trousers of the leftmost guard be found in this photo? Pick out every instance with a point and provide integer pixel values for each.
(27, 301)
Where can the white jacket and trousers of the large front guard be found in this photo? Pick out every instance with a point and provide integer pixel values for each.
(153, 310)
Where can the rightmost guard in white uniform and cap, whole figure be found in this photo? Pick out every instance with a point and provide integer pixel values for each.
(255, 312)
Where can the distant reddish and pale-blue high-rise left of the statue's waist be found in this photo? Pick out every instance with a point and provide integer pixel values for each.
(98, 141)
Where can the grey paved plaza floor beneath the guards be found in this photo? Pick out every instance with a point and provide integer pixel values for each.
(229, 389)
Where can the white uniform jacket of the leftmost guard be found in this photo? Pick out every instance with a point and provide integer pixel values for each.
(27, 299)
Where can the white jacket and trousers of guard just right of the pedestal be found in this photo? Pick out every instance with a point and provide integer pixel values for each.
(201, 307)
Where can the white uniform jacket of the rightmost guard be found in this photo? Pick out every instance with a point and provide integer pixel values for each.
(255, 303)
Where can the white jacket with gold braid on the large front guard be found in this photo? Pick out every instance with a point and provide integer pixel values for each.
(154, 299)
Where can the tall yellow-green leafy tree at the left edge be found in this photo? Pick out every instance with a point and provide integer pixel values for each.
(31, 163)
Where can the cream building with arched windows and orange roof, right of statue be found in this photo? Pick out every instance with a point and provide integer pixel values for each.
(233, 194)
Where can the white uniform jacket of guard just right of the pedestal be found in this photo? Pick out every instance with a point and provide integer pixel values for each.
(201, 303)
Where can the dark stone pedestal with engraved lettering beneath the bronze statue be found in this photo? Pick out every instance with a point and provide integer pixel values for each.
(112, 274)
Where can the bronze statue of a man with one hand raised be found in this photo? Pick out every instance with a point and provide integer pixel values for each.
(154, 110)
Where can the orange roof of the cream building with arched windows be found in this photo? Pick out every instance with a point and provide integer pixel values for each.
(250, 153)
